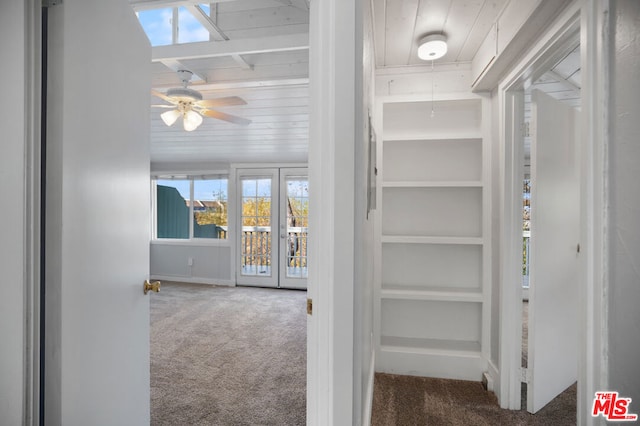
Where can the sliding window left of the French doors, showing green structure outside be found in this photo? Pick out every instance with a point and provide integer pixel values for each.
(190, 208)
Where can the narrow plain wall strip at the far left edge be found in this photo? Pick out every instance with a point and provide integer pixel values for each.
(13, 133)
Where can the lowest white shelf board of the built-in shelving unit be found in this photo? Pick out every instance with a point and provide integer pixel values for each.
(429, 346)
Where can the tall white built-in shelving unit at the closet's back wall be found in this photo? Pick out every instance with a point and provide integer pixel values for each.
(432, 292)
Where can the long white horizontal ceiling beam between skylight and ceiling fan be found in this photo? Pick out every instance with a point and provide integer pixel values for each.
(211, 49)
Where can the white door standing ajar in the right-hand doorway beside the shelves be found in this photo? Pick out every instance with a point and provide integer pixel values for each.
(555, 225)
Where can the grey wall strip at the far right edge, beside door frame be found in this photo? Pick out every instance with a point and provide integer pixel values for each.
(624, 198)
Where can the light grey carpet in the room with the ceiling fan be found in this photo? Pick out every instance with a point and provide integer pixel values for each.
(227, 356)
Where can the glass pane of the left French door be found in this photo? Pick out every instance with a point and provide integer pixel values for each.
(256, 240)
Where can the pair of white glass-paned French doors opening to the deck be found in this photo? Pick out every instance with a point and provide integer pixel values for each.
(273, 207)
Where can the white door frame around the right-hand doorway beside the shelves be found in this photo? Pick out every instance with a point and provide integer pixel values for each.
(590, 18)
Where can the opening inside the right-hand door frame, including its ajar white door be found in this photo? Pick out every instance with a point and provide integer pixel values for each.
(550, 226)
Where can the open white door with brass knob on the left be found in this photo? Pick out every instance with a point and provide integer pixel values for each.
(98, 229)
